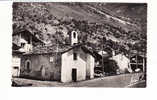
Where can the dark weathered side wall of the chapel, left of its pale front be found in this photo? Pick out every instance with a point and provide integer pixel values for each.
(42, 66)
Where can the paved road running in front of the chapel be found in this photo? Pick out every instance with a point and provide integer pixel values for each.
(110, 81)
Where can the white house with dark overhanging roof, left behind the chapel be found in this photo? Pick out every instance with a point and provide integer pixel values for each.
(23, 42)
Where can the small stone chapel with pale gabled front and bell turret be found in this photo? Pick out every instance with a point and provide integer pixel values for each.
(61, 63)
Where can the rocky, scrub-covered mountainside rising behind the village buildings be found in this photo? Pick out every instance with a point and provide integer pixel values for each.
(120, 27)
